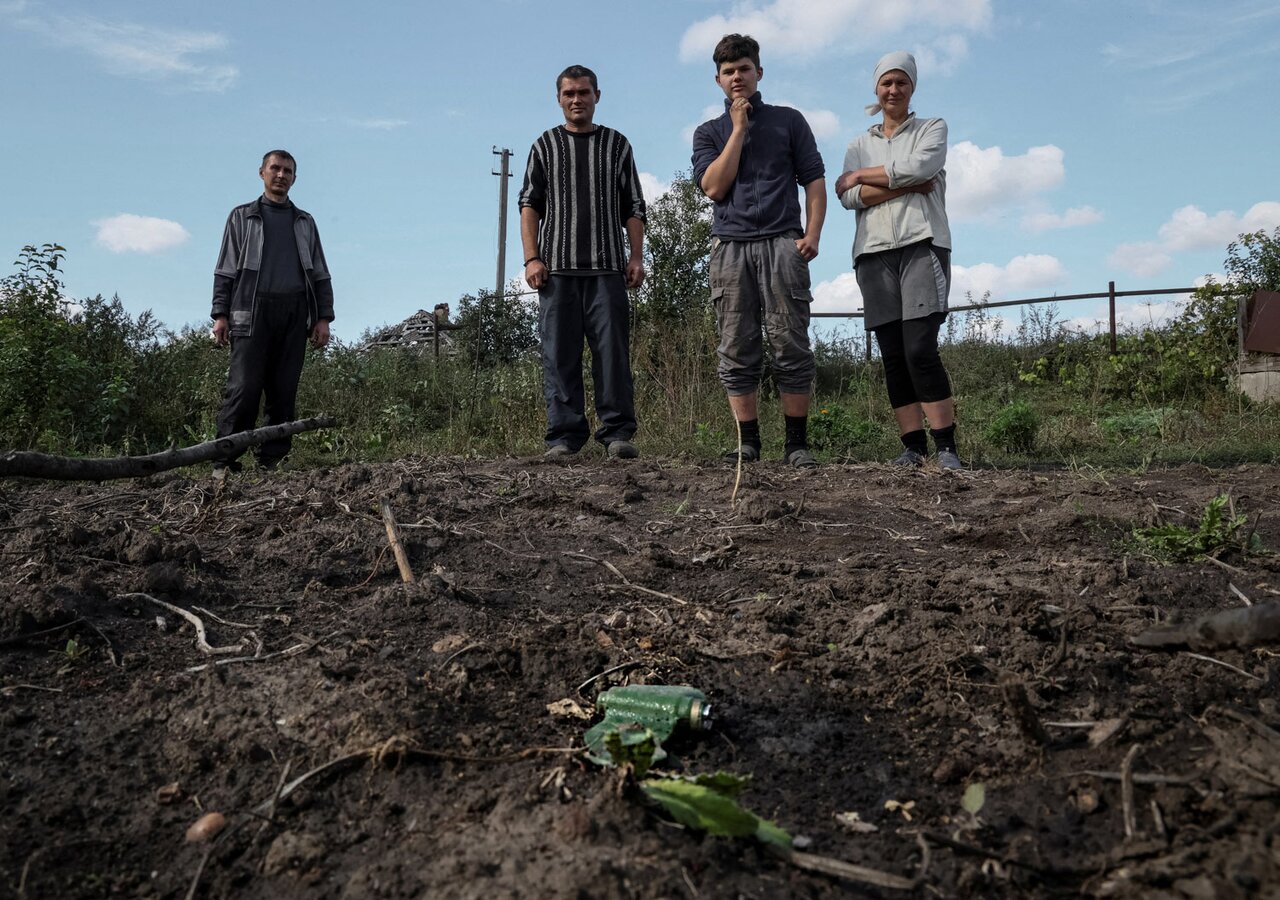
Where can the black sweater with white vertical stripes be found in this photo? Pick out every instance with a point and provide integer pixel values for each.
(584, 189)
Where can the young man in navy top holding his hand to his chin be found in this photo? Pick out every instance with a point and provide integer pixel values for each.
(749, 162)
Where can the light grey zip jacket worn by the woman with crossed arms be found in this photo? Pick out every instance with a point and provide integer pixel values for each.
(916, 154)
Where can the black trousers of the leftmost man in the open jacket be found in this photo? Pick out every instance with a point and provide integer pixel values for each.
(267, 363)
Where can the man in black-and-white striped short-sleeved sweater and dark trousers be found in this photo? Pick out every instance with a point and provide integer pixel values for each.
(582, 222)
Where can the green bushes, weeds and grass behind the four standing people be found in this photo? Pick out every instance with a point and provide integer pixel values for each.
(83, 377)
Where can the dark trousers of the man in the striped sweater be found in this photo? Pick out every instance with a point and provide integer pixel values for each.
(598, 309)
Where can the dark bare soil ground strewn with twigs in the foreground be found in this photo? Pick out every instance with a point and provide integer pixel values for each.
(863, 636)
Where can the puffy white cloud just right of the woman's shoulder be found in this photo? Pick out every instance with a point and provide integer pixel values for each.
(981, 181)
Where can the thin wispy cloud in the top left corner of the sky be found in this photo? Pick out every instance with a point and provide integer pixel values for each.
(145, 52)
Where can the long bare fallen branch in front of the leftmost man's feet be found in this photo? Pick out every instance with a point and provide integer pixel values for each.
(26, 464)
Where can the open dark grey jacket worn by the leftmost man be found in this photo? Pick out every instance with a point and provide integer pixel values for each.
(241, 259)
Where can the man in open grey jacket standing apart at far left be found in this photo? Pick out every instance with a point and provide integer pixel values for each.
(272, 291)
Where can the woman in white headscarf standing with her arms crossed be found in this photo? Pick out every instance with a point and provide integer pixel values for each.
(894, 179)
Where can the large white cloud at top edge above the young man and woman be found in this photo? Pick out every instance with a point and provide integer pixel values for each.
(801, 28)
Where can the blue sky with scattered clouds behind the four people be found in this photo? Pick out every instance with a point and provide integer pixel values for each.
(1090, 140)
